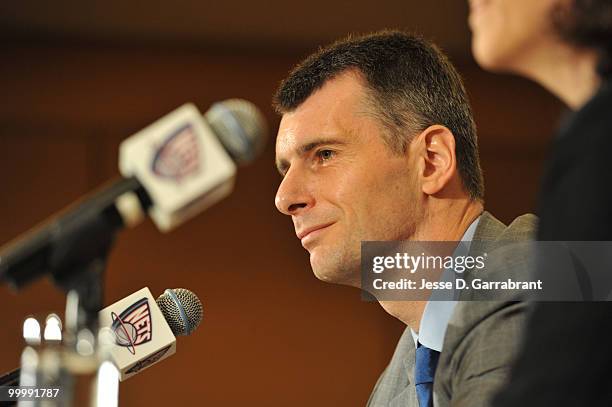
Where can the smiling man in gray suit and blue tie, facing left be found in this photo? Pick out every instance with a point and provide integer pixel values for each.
(377, 142)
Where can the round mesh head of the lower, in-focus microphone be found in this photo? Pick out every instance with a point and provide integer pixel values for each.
(182, 309)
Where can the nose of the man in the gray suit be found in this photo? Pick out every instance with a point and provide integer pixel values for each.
(293, 195)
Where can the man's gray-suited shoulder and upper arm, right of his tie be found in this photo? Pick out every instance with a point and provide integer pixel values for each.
(483, 334)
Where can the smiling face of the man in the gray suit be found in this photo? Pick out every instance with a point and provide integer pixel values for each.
(342, 184)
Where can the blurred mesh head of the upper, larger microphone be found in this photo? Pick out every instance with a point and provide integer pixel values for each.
(240, 126)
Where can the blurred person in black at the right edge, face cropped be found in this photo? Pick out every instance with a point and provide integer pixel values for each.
(565, 46)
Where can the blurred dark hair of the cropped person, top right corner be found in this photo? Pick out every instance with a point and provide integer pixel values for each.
(588, 24)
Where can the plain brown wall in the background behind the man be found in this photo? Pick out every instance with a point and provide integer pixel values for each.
(272, 334)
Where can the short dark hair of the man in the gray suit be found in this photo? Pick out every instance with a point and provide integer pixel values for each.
(411, 86)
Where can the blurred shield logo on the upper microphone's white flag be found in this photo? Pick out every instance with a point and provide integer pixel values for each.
(178, 156)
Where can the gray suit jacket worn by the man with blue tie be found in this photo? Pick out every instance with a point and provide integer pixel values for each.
(481, 339)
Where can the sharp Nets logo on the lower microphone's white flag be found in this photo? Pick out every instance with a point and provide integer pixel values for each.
(133, 326)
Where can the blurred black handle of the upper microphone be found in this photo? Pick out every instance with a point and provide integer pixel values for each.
(72, 242)
